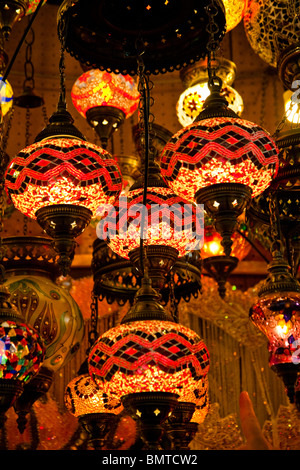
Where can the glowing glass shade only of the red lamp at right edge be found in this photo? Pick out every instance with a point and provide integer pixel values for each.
(277, 315)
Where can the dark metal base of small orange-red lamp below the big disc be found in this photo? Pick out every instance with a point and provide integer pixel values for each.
(105, 120)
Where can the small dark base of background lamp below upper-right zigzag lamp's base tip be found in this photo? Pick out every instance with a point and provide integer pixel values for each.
(220, 268)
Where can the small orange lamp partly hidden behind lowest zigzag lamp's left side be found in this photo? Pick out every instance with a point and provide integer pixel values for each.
(97, 412)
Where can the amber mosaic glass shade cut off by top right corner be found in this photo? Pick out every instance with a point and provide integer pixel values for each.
(271, 27)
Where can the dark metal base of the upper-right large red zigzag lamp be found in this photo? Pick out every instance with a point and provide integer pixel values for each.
(225, 203)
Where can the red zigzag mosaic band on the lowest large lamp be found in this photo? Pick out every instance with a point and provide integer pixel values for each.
(131, 348)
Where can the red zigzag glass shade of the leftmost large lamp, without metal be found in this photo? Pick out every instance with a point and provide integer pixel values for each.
(62, 171)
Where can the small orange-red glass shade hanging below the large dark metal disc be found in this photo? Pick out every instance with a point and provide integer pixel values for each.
(96, 88)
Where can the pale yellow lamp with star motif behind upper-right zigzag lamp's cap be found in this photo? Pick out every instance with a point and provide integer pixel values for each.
(195, 79)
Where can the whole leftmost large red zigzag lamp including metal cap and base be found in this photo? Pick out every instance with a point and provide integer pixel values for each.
(61, 180)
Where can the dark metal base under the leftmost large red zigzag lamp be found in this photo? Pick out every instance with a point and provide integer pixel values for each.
(63, 223)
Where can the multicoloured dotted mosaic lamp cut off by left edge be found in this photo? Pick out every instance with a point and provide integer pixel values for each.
(21, 352)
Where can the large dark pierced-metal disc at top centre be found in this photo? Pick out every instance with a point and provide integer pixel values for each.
(170, 35)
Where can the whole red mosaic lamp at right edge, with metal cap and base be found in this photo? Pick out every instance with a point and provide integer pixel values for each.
(277, 315)
